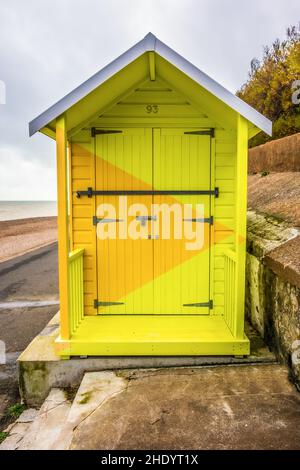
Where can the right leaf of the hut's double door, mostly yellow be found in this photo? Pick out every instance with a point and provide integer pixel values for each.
(181, 266)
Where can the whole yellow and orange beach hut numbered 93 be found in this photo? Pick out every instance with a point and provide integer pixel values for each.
(152, 187)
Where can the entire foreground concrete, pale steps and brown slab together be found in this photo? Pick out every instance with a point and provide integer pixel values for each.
(225, 407)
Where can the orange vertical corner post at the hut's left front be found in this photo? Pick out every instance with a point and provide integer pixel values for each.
(63, 229)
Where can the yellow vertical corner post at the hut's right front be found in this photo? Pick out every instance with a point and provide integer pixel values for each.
(241, 224)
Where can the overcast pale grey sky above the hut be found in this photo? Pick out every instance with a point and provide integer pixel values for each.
(47, 47)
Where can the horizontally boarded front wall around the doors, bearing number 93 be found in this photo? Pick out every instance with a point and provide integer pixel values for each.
(154, 105)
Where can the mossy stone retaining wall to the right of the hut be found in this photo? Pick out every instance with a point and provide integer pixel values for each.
(273, 287)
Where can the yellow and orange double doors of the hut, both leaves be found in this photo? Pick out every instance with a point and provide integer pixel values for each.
(152, 224)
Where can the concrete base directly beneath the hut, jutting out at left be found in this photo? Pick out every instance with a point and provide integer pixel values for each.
(40, 369)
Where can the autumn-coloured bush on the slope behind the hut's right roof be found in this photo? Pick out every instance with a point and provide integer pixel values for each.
(272, 83)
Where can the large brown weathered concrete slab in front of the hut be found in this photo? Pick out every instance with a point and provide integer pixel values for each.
(236, 407)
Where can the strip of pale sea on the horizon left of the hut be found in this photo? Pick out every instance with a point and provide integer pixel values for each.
(12, 210)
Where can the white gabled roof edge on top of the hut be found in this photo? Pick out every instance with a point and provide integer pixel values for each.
(151, 43)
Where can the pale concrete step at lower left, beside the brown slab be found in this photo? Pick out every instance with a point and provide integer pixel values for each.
(45, 428)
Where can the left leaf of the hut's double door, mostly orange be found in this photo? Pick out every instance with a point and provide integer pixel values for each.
(125, 264)
